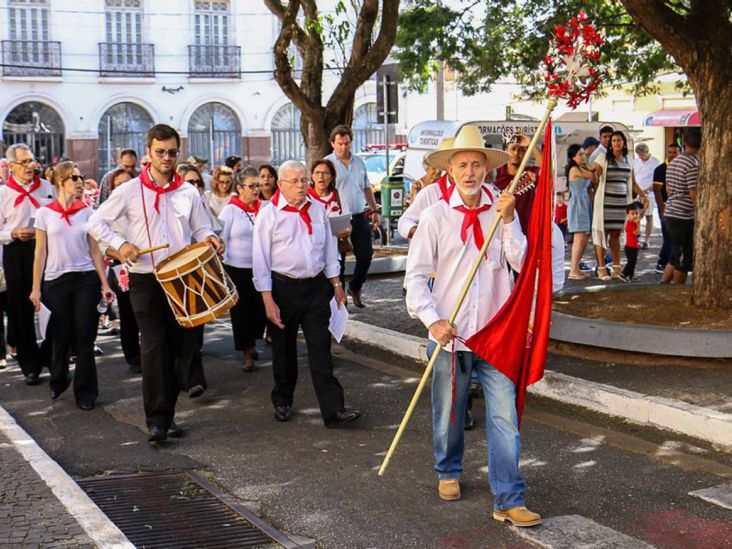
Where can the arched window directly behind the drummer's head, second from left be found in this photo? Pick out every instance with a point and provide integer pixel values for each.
(123, 126)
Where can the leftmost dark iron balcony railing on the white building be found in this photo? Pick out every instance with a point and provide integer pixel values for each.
(31, 58)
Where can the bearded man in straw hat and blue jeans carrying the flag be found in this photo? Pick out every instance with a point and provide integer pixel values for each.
(446, 242)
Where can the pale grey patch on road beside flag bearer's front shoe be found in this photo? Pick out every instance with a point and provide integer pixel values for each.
(579, 533)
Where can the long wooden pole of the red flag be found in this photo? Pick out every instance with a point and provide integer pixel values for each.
(551, 104)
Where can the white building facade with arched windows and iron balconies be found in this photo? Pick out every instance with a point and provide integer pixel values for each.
(84, 79)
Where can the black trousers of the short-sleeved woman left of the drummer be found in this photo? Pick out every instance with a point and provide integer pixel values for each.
(72, 299)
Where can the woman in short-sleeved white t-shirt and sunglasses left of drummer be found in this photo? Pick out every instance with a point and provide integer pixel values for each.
(68, 261)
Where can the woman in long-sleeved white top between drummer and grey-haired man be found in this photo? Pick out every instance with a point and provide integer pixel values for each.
(247, 316)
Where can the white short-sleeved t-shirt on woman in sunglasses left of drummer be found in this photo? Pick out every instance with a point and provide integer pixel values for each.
(68, 247)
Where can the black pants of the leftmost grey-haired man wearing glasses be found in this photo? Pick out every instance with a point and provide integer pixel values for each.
(18, 265)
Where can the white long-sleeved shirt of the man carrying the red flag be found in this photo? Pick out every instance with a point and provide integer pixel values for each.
(438, 248)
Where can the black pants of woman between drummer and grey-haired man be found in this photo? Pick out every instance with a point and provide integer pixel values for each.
(247, 316)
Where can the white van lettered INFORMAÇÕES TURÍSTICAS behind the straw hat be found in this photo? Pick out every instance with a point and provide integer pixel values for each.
(426, 137)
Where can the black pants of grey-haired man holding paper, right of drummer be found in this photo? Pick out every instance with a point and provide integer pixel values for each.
(304, 303)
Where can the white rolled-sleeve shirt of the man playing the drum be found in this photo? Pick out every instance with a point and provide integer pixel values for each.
(182, 219)
